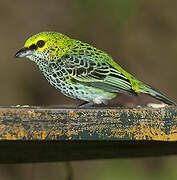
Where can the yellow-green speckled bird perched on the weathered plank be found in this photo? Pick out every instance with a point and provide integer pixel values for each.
(81, 71)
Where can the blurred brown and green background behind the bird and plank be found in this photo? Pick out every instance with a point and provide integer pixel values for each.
(140, 35)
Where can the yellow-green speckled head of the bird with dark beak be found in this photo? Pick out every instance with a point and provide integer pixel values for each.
(47, 46)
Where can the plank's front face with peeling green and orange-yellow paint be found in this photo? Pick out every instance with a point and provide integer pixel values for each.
(34, 123)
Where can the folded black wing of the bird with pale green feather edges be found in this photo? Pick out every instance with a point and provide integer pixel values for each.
(96, 73)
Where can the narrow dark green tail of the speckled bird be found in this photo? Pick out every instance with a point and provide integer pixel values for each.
(154, 93)
